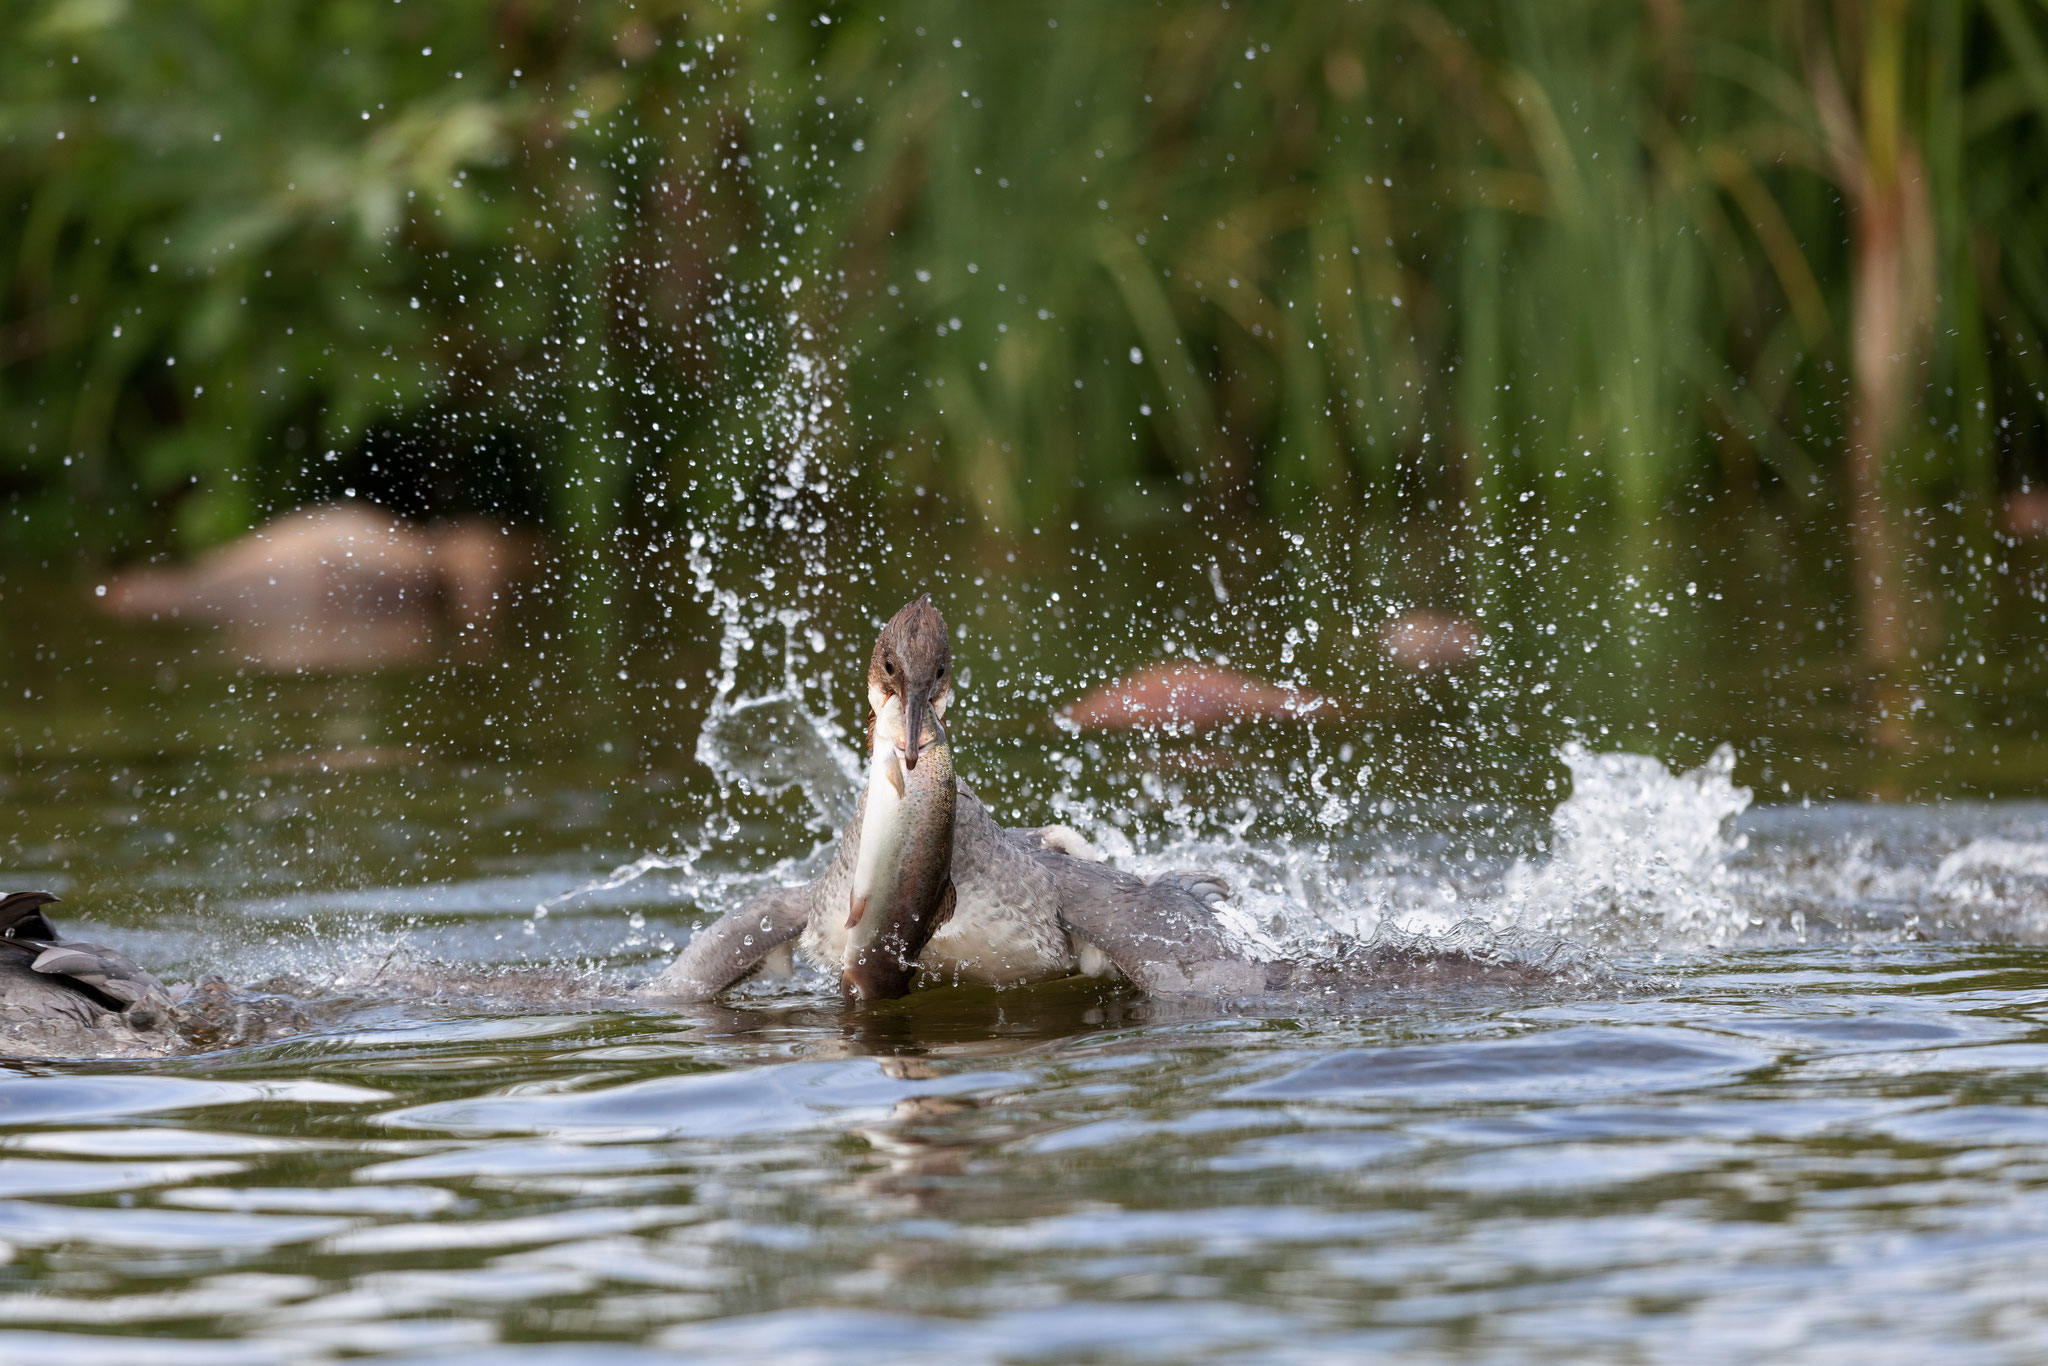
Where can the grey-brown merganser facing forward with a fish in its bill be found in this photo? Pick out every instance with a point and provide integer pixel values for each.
(929, 890)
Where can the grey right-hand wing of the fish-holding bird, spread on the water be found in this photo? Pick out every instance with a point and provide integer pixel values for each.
(1160, 933)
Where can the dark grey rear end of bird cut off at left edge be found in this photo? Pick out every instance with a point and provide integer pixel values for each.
(46, 978)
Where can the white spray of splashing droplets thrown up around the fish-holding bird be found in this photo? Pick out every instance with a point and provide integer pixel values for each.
(1633, 859)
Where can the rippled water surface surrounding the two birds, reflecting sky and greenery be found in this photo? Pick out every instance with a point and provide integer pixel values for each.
(1783, 1105)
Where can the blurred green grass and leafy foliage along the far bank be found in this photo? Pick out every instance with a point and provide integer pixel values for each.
(1076, 259)
